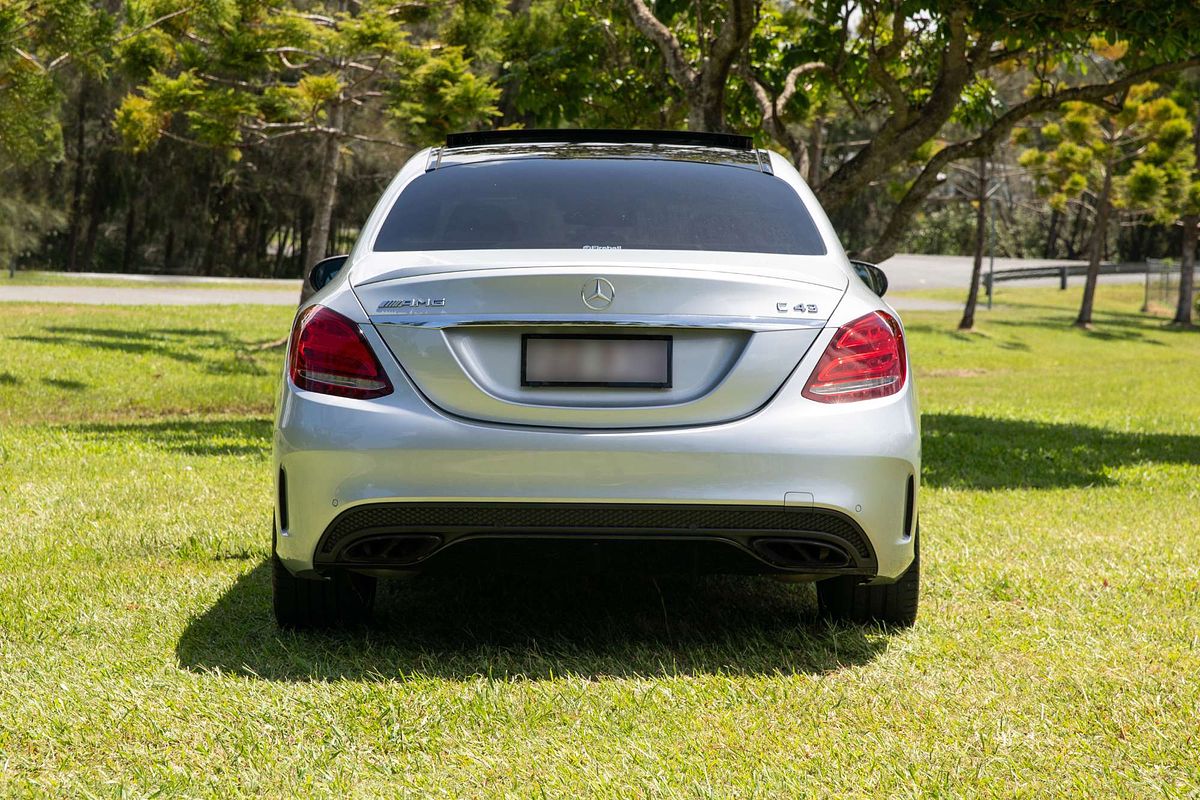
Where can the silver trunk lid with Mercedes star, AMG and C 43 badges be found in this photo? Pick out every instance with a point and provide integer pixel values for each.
(457, 323)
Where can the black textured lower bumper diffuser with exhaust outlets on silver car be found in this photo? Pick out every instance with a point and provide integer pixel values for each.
(547, 537)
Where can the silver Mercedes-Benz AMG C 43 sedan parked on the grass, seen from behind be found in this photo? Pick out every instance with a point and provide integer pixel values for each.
(561, 351)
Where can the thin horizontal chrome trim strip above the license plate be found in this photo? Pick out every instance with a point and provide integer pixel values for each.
(400, 317)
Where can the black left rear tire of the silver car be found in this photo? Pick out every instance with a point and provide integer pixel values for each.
(344, 599)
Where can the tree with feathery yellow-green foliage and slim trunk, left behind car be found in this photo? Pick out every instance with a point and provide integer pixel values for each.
(329, 73)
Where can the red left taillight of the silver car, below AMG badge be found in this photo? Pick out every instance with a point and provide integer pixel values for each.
(331, 357)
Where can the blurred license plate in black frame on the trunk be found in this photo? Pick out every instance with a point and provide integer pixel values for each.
(583, 360)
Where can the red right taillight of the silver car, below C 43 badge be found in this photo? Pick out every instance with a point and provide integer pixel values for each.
(865, 360)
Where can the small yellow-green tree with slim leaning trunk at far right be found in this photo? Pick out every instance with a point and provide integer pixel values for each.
(1132, 158)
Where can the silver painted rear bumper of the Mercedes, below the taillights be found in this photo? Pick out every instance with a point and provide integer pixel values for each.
(812, 461)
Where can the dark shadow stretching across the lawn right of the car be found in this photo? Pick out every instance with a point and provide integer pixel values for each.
(980, 453)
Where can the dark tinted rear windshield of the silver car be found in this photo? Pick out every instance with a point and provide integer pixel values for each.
(599, 203)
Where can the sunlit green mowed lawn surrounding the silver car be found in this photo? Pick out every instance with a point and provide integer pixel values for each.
(1058, 652)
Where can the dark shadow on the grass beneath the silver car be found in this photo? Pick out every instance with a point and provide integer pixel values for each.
(536, 629)
